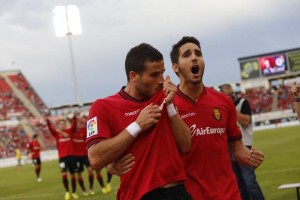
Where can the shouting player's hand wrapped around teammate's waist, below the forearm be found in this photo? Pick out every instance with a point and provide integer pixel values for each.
(122, 165)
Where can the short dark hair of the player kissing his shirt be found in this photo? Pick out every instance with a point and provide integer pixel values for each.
(138, 55)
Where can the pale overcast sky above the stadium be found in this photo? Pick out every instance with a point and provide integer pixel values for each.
(227, 30)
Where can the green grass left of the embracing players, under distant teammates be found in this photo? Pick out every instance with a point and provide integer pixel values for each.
(20, 183)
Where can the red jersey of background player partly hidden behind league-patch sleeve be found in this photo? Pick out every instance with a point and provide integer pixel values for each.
(79, 142)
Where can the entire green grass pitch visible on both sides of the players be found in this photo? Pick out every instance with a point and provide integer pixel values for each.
(282, 165)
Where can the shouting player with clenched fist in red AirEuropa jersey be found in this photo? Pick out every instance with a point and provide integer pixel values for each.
(212, 119)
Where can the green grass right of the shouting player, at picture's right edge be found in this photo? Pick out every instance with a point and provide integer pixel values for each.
(282, 164)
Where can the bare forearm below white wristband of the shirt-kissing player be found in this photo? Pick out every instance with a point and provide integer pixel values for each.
(107, 151)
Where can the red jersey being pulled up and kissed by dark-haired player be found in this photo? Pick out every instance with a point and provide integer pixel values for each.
(156, 155)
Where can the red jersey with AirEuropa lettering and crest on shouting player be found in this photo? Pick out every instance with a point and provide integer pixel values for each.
(213, 122)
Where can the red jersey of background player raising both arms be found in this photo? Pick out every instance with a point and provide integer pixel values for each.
(64, 144)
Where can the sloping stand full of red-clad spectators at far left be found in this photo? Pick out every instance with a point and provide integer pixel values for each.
(19, 105)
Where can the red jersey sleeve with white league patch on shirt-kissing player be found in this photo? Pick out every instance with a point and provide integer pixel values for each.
(98, 123)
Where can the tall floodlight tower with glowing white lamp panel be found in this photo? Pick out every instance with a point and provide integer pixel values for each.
(67, 23)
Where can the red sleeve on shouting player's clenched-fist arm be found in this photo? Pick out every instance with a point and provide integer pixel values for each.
(234, 131)
